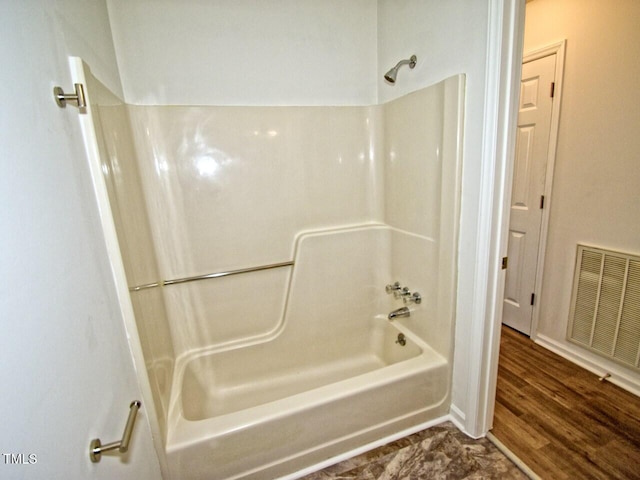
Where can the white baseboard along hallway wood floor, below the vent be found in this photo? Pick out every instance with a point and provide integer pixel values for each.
(618, 377)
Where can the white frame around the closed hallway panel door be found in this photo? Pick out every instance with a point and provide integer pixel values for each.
(557, 49)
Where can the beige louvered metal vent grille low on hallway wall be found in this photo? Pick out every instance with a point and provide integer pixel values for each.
(605, 304)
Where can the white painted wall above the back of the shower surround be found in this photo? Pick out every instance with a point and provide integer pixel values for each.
(246, 52)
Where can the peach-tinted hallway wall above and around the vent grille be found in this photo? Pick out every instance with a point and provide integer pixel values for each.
(595, 198)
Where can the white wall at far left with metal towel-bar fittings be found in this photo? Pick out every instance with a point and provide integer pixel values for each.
(67, 373)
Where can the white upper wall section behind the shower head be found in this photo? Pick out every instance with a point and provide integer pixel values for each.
(448, 38)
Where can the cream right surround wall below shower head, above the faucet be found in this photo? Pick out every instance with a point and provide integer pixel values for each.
(422, 171)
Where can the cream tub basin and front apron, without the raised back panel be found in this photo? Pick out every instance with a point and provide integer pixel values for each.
(298, 415)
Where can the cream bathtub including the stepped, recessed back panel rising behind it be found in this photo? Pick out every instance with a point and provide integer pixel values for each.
(330, 379)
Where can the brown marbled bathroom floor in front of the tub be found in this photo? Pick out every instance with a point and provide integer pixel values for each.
(440, 452)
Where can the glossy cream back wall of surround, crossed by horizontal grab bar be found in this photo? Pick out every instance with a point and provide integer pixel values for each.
(230, 188)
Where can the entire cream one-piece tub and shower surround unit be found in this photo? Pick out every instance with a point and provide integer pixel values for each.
(271, 372)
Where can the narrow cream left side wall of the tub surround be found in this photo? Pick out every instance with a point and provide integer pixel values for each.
(129, 212)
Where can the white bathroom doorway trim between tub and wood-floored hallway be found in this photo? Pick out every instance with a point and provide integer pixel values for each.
(504, 64)
